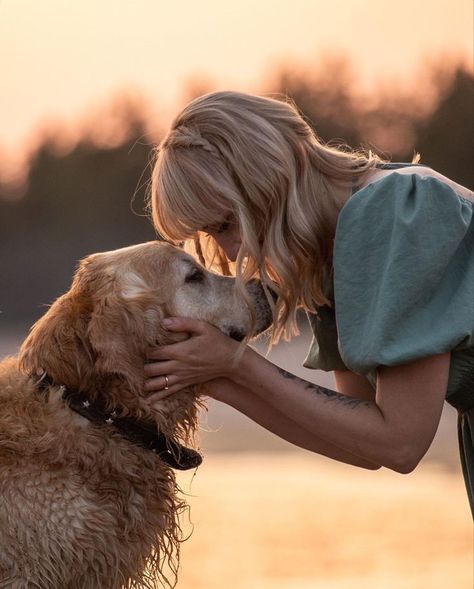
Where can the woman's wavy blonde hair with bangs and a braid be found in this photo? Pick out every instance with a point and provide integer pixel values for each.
(230, 153)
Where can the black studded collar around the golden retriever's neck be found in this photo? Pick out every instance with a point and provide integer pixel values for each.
(140, 432)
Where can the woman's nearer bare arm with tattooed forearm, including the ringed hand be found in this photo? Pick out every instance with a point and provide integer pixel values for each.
(393, 430)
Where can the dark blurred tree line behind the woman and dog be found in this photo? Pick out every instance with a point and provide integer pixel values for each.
(91, 196)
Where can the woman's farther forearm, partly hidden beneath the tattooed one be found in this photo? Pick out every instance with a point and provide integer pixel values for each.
(276, 422)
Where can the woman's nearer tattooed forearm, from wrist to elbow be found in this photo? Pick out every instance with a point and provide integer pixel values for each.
(360, 427)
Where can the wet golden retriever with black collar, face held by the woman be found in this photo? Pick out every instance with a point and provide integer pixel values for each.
(88, 496)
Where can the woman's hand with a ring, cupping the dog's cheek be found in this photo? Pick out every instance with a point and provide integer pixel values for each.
(205, 355)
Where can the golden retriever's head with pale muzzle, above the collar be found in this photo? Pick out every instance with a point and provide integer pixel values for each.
(95, 337)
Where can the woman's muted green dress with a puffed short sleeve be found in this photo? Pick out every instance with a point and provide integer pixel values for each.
(403, 289)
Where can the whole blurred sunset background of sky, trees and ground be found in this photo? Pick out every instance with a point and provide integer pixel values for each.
(87, 89)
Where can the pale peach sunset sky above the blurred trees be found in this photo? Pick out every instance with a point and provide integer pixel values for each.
(61, 58)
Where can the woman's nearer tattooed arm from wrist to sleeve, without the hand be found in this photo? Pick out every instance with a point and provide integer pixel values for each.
(394, 430)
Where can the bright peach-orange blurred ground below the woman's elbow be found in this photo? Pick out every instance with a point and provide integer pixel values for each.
(295, 521)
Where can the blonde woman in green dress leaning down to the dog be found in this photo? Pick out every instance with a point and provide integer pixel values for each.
(381, 257)
